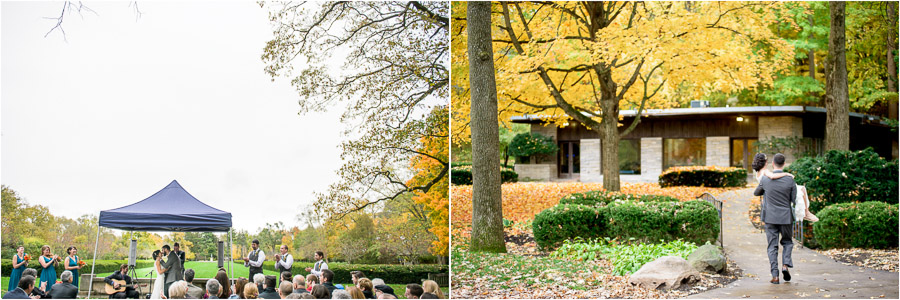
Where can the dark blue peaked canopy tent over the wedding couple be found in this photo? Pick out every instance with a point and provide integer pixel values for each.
(169, 209)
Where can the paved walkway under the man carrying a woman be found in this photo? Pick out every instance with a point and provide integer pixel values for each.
(814, 275)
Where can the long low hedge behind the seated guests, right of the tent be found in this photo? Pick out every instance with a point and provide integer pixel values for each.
(399, 274)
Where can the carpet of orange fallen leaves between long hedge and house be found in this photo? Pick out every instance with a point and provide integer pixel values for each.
(523, 200)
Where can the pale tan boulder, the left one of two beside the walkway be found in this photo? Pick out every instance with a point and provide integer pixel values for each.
(667, 272)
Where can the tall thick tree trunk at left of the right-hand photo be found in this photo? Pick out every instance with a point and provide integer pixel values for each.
(487, 208)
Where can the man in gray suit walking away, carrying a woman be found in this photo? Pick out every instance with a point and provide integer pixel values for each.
(778, 216)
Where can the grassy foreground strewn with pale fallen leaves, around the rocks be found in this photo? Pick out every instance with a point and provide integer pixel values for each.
(525, 273)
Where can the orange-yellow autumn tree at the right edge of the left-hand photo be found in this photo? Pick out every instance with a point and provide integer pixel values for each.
(427, 163)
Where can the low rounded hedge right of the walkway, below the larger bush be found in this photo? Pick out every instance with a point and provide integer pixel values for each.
(862, 225)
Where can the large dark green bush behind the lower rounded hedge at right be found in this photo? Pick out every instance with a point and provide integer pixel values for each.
(846, 176)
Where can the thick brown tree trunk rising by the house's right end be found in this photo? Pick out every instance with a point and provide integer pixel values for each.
(837, 97)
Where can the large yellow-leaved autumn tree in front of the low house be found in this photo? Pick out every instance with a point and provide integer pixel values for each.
(586, 60)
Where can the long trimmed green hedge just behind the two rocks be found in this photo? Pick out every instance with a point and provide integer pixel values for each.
(694, 221)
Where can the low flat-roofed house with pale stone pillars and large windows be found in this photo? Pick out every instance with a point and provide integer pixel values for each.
(711, 136)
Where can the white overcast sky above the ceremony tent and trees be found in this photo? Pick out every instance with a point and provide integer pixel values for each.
(126, 106)
